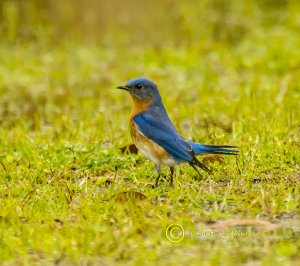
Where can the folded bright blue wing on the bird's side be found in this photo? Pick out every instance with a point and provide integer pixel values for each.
(160, 129)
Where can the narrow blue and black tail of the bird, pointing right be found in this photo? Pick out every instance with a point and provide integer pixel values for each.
(201, 149)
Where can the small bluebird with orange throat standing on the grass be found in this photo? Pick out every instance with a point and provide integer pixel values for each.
(156, 137)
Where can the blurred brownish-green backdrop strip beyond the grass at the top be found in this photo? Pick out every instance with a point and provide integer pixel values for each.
(146, 23)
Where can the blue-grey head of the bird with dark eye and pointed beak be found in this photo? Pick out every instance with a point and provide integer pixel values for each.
(141, 89)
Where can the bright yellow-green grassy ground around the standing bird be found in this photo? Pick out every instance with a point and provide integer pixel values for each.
(69, 195)
